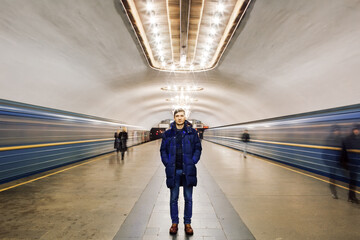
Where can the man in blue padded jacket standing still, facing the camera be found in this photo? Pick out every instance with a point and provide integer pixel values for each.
(180, 151)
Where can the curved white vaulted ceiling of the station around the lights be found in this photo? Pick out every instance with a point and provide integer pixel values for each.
(289, 56)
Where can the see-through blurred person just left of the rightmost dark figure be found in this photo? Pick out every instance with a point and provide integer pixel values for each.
(333, 160)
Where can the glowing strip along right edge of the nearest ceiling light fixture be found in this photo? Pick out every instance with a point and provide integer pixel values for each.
(224, 42)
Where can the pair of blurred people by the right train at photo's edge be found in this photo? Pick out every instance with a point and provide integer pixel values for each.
(345, 159)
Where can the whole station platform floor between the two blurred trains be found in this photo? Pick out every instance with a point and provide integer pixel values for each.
(236, 198)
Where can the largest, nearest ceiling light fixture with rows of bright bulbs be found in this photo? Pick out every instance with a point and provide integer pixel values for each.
(166, 23)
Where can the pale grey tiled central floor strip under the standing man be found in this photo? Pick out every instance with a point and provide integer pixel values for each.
(213, 215)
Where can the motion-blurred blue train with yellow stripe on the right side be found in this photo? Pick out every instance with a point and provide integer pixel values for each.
(303, 141)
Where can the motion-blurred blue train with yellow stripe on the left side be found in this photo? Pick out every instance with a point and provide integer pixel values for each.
(35, 139)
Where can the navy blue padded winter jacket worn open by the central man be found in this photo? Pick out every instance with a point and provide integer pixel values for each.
(191, 154)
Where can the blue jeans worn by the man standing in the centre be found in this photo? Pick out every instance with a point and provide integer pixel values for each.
(174, 196)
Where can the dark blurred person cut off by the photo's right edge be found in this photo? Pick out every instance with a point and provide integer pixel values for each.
(350, 145)
